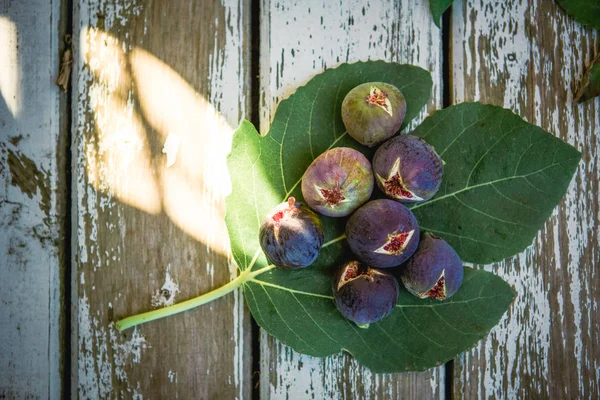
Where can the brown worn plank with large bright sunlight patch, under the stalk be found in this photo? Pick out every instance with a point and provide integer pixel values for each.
(147, 232)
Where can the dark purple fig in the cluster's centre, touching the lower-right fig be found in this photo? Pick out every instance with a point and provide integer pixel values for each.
(382, 233)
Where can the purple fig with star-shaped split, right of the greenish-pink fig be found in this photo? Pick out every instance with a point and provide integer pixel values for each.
(408, 169)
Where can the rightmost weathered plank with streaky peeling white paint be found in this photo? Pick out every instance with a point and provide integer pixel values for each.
(527, 56)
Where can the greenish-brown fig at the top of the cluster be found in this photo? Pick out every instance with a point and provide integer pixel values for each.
(373, 112)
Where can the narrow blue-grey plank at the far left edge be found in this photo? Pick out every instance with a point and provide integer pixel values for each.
(32, 201)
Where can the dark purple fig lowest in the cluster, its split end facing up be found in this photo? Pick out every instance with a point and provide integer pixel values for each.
(363, 294)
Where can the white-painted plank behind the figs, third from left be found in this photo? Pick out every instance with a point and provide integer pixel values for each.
(299, 40)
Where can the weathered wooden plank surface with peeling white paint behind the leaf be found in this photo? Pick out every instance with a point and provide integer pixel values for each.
(95, 226)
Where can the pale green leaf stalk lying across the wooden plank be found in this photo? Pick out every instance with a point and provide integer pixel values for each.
(242, 278)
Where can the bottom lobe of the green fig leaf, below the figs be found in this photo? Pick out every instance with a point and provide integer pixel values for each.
(297, 308)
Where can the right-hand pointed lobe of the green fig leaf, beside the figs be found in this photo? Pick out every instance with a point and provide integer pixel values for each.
(502, 179)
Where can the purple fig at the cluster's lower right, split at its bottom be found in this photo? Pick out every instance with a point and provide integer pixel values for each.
(434, 271)
